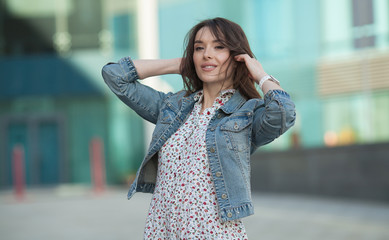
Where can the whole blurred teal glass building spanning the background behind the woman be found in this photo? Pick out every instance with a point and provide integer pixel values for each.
(330, 55)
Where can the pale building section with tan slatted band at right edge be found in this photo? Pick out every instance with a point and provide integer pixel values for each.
(352, 71)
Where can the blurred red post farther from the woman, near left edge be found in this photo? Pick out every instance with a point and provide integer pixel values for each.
(18, 171)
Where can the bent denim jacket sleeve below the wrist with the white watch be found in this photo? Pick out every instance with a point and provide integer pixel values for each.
(273, 117)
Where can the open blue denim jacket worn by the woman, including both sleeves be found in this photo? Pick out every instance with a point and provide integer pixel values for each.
(236, 130)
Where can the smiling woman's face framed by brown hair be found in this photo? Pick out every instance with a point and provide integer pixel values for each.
(211, 59)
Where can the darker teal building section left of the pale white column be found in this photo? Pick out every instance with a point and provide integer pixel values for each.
(52, 97)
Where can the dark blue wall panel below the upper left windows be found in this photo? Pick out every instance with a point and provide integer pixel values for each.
(42, 75)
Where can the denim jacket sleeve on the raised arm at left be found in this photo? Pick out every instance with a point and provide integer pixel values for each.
(122, 78)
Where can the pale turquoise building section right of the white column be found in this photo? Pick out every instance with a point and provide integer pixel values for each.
(330, 55)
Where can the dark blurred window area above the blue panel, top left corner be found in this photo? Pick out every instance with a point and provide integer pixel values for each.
(46, 26)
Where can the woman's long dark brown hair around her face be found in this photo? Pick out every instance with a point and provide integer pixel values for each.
(230, 36)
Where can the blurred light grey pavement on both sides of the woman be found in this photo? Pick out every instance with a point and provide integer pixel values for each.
(74, 212)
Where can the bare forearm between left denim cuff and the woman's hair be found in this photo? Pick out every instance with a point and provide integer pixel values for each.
(155, 67)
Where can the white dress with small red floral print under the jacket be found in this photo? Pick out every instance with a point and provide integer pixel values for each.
(184, 203)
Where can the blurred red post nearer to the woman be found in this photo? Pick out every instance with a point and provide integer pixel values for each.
(96, 151)
